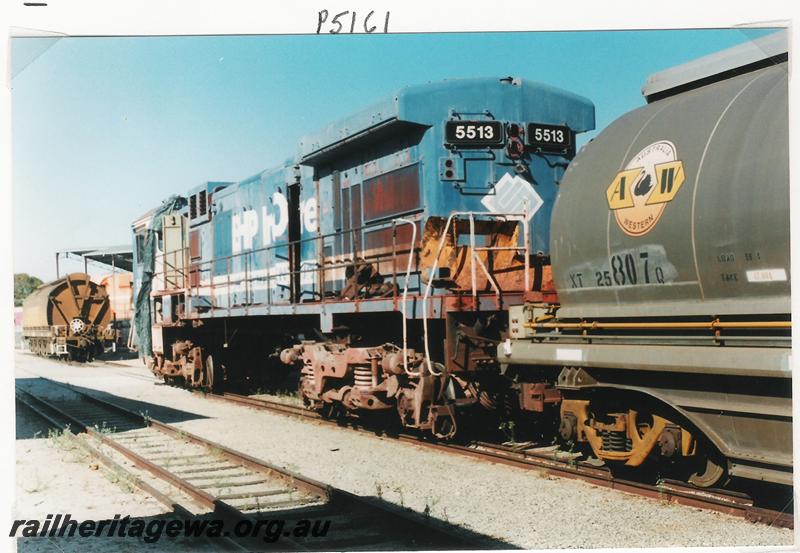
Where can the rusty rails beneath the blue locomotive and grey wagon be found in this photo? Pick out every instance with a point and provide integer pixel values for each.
(551, 461)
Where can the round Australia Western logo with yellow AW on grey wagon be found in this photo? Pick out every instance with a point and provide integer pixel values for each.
(640, 192)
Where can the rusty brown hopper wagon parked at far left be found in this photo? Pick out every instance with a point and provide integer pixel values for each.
(70, 317)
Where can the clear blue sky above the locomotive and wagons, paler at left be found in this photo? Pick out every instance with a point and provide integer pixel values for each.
(104, 128)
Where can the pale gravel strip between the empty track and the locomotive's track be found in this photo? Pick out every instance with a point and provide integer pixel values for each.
(521, 508)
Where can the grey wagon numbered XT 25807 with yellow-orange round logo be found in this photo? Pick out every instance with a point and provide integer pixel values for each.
(670, 255)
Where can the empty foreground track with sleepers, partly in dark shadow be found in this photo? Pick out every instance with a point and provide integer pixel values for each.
(235, 487)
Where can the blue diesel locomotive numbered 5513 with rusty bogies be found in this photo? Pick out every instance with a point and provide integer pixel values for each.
(380, 261)
